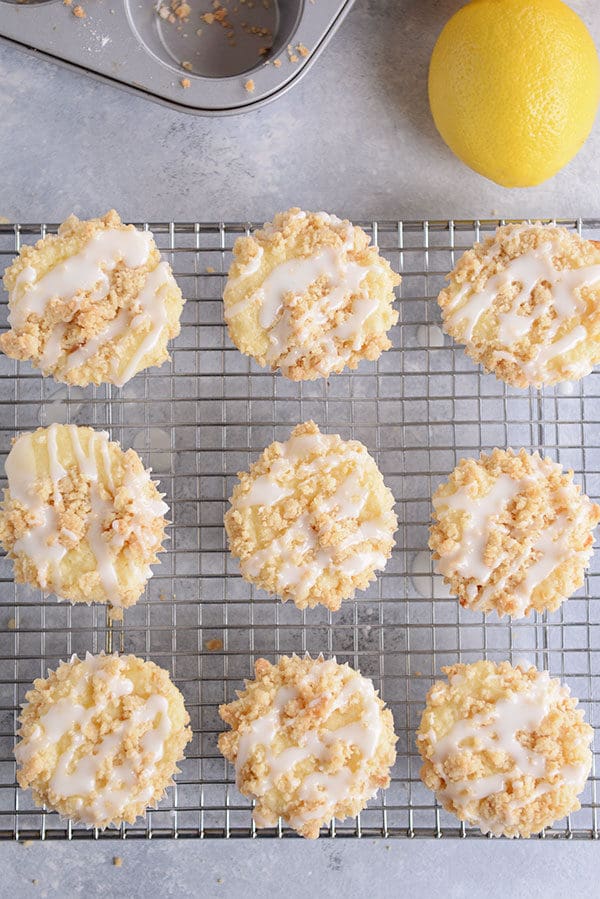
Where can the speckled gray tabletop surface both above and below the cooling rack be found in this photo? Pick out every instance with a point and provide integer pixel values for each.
(356, 137)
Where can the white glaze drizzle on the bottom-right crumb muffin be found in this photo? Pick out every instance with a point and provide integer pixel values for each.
(495, 730)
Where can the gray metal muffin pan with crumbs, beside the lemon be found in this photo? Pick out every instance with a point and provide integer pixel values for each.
(127, 43)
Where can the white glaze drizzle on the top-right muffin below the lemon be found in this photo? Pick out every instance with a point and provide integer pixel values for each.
(530, 269)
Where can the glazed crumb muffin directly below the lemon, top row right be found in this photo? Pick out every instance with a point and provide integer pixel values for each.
(526, 303)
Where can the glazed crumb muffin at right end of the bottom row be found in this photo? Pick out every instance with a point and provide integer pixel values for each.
(503, 748)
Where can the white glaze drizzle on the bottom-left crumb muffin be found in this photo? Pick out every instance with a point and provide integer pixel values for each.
(100, 802)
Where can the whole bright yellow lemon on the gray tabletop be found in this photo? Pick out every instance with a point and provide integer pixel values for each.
(514, 86)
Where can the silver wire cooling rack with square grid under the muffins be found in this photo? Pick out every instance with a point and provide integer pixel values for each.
(208, 414)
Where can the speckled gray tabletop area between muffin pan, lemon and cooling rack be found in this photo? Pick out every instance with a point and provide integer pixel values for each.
(354, 136)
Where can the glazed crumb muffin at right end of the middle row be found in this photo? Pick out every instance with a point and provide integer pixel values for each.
(512, 533)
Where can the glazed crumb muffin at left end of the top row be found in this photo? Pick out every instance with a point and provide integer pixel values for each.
(91, 304)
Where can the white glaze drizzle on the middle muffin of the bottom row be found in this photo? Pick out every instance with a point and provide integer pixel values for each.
(320, 788)
